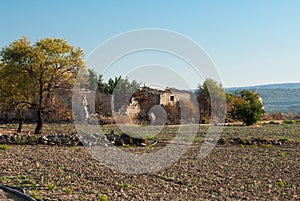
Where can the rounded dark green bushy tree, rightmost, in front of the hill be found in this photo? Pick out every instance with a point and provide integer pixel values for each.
(248, 107)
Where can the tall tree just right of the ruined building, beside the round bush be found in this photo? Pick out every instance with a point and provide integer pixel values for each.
(209, 94)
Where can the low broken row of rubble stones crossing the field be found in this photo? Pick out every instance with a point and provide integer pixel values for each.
(112, 138)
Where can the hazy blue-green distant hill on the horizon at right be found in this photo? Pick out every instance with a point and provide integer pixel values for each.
(276, 97)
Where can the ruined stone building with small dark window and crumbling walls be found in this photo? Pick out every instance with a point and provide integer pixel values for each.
(179, 105)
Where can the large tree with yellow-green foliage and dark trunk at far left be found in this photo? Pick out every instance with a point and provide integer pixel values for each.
(44, 67)
